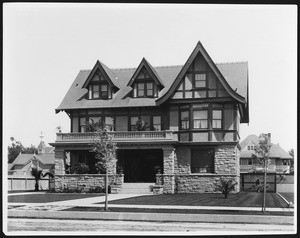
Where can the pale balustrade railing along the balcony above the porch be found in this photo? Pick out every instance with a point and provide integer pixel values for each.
(119, 136)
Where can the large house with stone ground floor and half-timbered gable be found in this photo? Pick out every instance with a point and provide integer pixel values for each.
(192, 111)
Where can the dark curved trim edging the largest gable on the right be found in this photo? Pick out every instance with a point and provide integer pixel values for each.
(200, 49)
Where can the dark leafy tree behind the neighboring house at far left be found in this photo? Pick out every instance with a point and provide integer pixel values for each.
(16, 148)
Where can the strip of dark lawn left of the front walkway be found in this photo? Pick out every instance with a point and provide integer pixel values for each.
(49, 197)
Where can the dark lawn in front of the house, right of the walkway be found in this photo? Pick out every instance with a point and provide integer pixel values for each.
(242, 199)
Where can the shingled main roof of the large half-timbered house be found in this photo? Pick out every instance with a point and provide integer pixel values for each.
(233, 75)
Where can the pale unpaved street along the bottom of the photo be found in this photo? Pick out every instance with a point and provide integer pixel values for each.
(51, 225)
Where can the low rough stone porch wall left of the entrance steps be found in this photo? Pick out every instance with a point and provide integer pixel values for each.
(85, 181)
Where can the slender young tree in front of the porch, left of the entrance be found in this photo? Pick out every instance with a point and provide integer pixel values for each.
(104, 148)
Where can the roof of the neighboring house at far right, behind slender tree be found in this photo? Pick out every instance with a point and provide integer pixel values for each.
(275, 150)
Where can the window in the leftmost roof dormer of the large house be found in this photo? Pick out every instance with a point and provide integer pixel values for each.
(99, 88)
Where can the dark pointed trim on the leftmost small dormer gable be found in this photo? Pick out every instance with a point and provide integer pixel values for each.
(102, 68)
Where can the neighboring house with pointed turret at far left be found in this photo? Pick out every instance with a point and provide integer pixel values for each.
(23, 164)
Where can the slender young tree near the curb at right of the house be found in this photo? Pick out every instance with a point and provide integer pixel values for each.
(262, 156)
